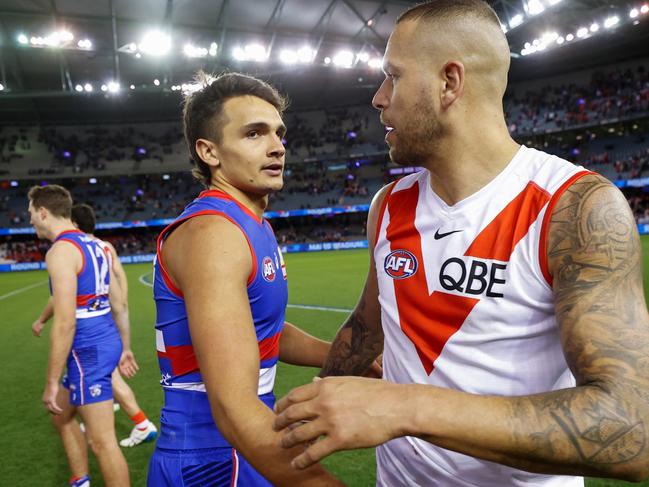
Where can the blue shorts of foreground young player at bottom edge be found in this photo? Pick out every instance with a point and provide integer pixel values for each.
(213, 467)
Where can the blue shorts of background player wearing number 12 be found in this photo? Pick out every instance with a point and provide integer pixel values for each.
(90, 371)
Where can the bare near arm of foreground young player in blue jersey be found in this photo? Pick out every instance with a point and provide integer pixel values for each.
(208, 258)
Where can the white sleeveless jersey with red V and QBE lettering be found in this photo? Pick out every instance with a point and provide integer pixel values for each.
(467, 304)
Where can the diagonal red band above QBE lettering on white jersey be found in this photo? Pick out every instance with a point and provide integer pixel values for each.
(499, 238)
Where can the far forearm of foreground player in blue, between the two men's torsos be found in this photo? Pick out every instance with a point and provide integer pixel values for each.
(296, 347)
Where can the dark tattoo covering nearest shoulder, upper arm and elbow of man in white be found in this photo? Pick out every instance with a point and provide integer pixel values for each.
(594, 255)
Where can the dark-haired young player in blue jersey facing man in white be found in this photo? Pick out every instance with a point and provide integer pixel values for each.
(220, 291)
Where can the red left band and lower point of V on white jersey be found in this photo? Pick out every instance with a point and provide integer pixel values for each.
(428, 320)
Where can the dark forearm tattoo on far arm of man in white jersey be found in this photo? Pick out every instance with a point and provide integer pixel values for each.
(355, 347)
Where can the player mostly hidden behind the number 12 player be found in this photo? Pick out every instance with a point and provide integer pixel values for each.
(83, 217)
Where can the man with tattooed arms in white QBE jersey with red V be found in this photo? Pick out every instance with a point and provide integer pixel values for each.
(515, 334)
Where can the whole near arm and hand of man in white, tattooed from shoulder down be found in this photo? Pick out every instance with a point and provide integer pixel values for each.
(598, 428)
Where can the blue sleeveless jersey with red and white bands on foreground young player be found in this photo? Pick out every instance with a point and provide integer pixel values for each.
(186, 419)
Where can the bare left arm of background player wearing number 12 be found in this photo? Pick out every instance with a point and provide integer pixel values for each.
(63, 262)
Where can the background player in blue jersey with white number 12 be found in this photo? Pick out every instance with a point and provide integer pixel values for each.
(83, 334)
